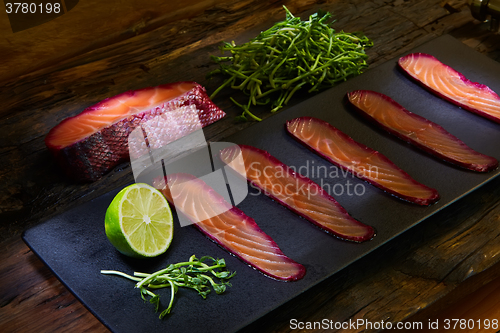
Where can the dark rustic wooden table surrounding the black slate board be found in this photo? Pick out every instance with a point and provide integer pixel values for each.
(453, 254)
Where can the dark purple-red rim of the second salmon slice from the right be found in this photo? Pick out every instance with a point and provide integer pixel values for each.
(479, 168)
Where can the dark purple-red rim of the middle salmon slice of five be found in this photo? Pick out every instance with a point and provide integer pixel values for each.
(423, 202)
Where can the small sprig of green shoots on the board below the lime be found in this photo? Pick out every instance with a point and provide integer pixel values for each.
(194, 274)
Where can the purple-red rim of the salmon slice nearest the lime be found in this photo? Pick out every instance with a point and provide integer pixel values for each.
(301, 269)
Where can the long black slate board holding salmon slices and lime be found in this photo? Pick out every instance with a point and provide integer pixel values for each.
(75, 247)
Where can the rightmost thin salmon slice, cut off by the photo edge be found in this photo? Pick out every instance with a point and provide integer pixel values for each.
(451, 85)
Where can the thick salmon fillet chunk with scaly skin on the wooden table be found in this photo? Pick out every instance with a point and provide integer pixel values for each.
(90, 144)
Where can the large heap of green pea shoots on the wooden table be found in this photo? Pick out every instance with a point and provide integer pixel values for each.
(291, 55)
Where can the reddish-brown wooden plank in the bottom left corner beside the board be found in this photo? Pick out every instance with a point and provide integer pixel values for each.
(35, 301)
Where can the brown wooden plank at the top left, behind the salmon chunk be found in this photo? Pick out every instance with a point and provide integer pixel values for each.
(90, 25)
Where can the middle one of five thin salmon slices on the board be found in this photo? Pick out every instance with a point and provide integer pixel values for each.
(358, 159)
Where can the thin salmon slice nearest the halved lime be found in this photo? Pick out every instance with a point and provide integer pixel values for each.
(228, 226)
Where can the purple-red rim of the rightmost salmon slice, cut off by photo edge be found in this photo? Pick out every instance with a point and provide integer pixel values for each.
(449, 99)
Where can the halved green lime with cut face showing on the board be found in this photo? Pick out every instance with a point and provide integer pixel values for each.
(139, 221)
